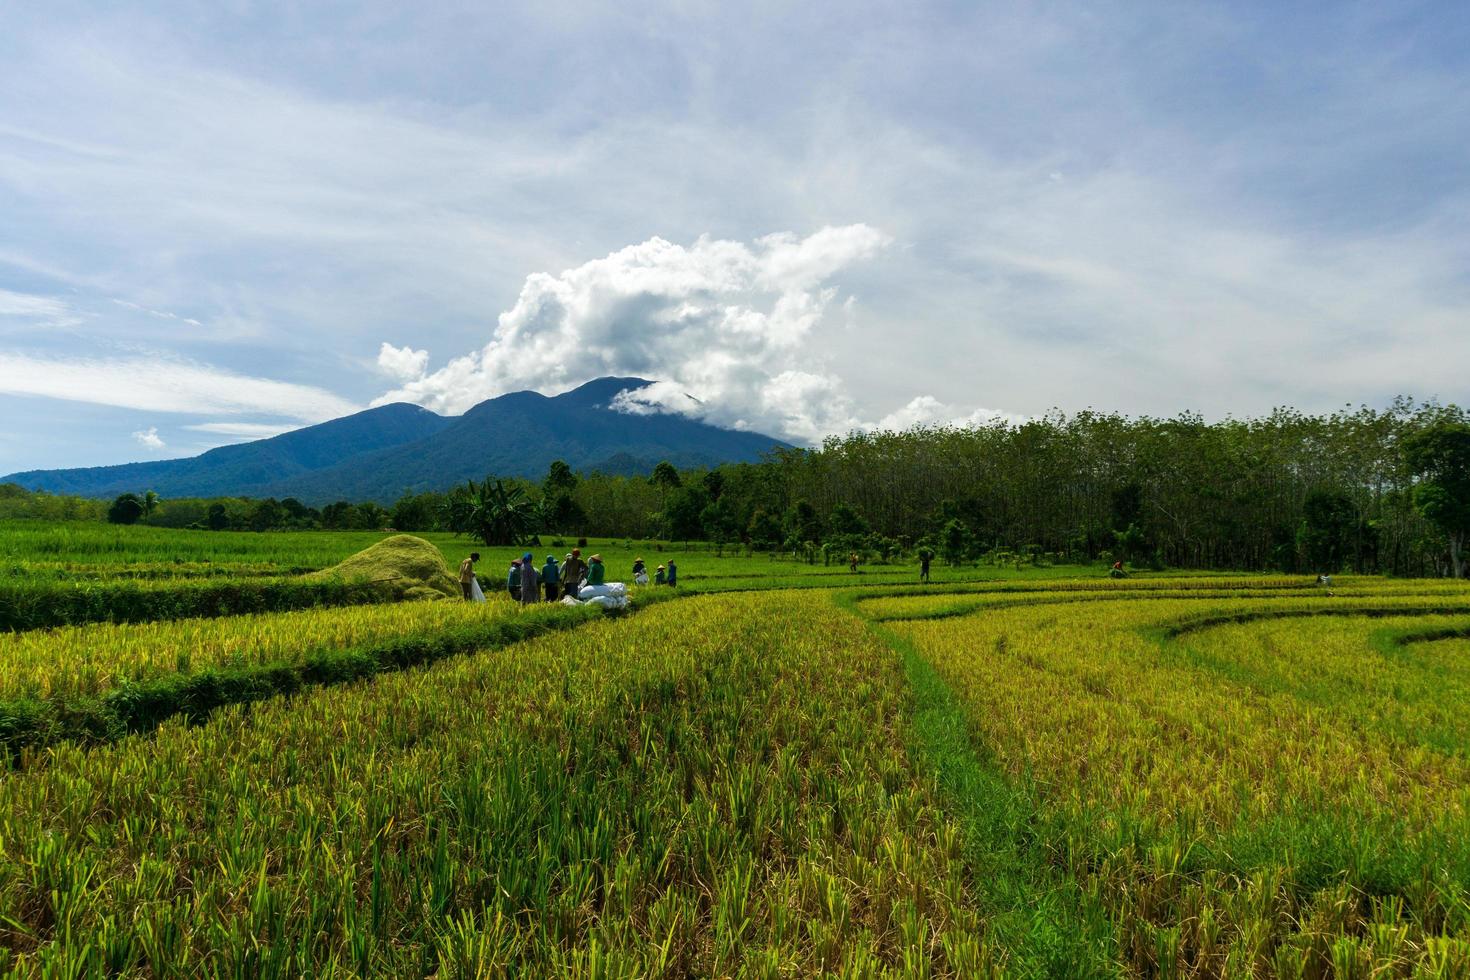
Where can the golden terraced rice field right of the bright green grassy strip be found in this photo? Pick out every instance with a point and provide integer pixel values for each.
(1272, 785)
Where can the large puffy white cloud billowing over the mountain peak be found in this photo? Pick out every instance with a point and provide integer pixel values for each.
(723, 327)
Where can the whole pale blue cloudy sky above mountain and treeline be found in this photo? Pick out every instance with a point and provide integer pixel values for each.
(223, 220)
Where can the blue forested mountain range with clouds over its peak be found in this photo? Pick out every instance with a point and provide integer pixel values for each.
(381, 453)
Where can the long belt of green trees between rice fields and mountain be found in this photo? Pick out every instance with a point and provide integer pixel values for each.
(1359, 490)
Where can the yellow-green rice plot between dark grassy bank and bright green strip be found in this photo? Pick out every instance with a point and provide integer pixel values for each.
(708, 788)
